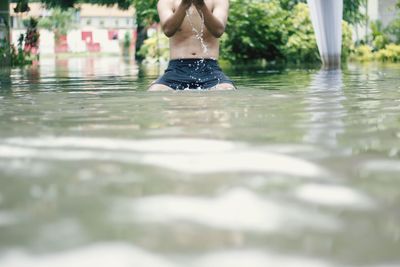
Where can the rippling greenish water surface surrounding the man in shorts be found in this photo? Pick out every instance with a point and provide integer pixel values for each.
(297, 168)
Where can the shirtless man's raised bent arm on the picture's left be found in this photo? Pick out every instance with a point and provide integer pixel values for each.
(172, 19)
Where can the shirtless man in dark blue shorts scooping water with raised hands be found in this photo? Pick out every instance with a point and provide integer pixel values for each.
(194, 45)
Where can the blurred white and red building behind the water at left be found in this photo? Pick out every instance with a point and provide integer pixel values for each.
(95, 28)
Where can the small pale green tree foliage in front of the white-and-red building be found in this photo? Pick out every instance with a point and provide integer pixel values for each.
(60, 21)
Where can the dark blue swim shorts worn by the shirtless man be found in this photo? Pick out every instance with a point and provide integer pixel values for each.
(193, 74)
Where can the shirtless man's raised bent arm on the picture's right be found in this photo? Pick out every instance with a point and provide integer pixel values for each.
(216, 19)
